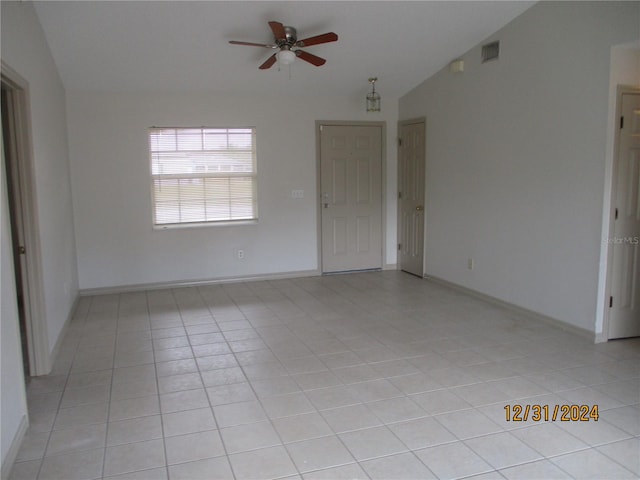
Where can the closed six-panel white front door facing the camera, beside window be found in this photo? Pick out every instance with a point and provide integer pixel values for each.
(351, 196)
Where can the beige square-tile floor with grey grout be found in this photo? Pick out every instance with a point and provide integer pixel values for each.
(373, 375)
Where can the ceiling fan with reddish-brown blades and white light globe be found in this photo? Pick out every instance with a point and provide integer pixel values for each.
(289, 47)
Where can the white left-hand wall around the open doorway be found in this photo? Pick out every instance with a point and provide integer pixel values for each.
(25, 51)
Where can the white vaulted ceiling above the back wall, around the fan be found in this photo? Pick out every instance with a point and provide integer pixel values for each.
(183, 45)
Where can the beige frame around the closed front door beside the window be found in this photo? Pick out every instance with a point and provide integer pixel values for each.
(383, 189)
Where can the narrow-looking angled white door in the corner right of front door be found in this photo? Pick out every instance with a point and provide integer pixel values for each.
(411, 178)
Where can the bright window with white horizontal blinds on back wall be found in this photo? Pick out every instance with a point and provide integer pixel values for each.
(203, 175)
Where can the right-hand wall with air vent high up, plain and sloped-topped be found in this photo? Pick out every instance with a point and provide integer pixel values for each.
(516, 154)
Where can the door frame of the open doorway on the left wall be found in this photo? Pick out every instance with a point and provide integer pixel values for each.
(23, 166)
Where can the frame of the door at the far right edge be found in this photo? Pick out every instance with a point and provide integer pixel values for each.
(620, 91)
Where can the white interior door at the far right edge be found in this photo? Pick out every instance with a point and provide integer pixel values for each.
(624, 314)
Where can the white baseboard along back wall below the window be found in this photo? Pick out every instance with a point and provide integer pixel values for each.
(195, 283)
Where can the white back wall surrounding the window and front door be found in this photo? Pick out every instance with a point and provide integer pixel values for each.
(112, 195)
